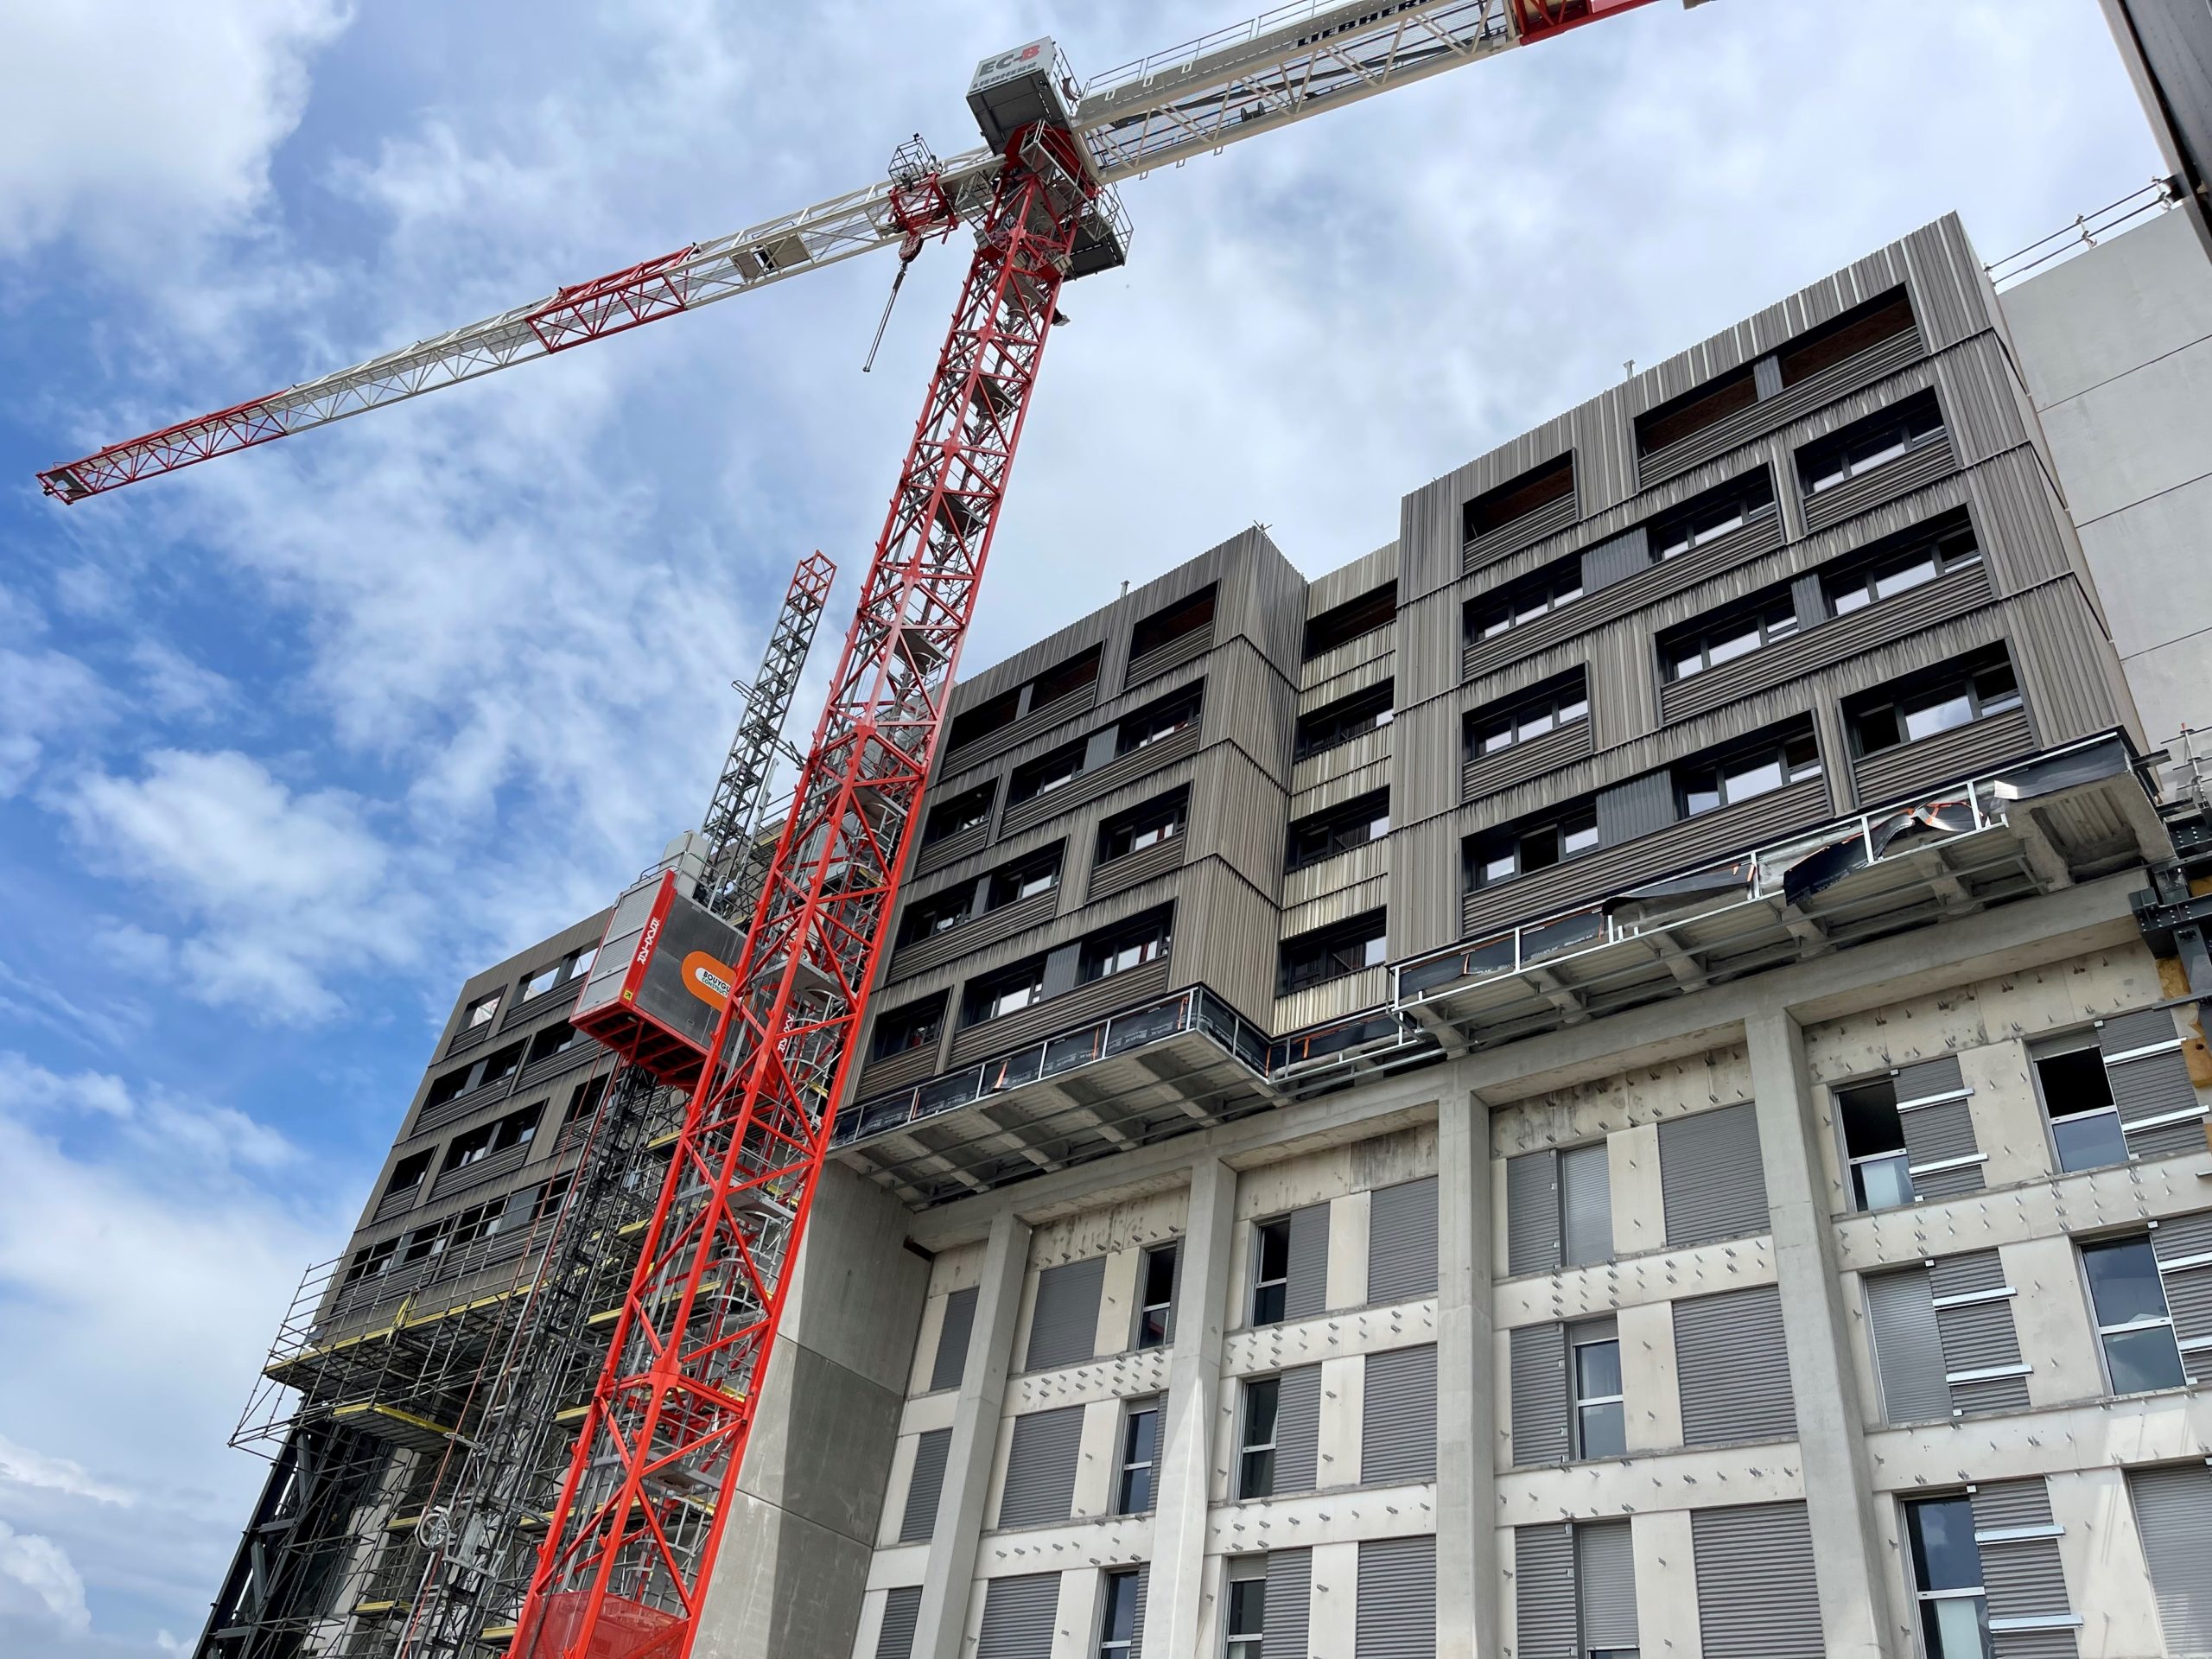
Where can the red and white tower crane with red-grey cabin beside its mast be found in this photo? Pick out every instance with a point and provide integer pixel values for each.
(632, 1543)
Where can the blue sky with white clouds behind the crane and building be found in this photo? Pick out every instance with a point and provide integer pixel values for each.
(293, 742)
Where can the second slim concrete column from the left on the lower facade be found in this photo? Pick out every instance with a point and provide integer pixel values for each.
(1176, 1598)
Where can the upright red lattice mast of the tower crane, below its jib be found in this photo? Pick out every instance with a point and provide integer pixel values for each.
(634, 1538)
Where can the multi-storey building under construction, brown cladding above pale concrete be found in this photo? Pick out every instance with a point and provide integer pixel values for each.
(1616, 1076)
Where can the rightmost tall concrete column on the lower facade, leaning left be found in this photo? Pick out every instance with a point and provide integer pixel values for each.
(1846, 1541)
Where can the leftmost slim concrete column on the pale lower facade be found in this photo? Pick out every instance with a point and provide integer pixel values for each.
(968, 1461)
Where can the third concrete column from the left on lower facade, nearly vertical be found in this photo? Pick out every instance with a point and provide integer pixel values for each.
(1468, 1578)
